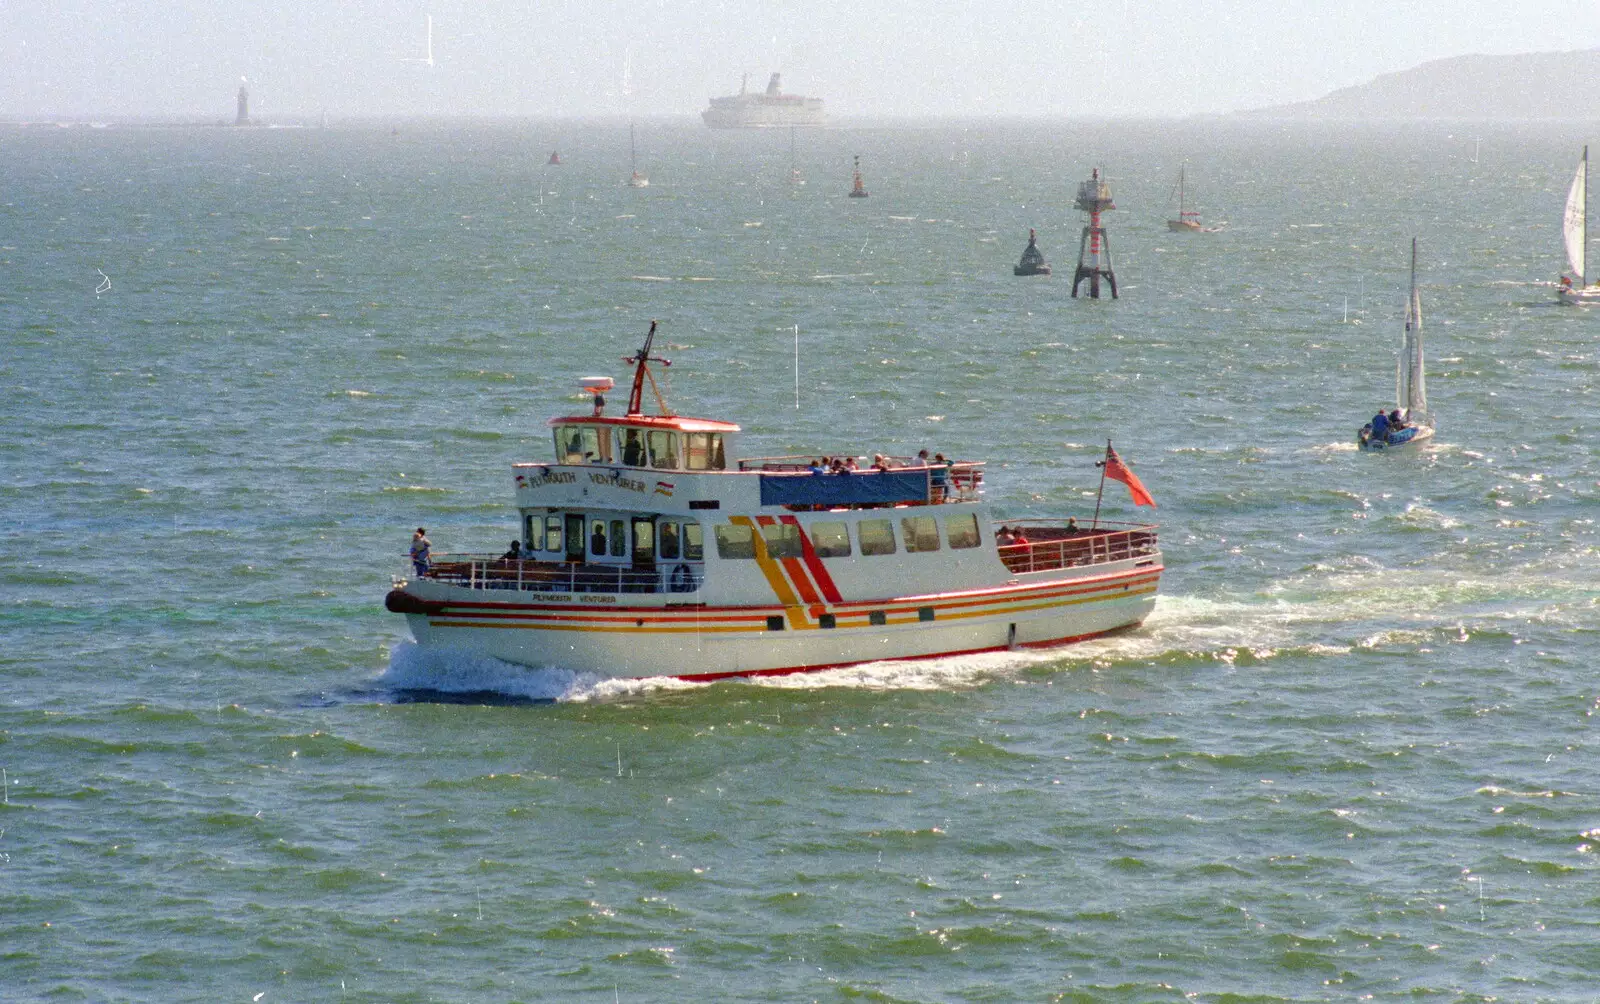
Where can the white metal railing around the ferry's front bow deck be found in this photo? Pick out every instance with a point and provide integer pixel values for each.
(489, 573)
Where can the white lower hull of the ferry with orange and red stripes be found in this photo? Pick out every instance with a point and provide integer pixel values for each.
(708, 643)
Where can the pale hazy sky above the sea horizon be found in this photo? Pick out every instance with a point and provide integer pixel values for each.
(111, 60)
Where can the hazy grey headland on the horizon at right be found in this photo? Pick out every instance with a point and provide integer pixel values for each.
(1527, 87)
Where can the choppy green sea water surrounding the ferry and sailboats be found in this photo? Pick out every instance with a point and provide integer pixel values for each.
(1348, 757)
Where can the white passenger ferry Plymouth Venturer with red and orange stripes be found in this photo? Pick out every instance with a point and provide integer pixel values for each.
(652, 551)
